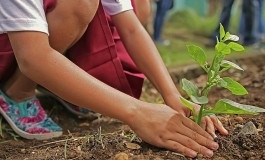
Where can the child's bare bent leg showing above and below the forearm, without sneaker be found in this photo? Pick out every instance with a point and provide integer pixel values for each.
(67, 23)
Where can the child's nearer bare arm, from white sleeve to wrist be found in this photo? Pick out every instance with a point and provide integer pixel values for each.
(49, 68)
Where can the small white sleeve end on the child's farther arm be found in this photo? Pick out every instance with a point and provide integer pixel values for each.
(113, 7)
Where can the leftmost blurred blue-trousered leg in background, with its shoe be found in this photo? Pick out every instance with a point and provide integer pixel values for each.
(163, 6)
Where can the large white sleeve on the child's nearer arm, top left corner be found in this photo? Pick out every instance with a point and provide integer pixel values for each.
(22, 15)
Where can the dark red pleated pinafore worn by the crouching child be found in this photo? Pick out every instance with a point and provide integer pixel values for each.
(99, 52)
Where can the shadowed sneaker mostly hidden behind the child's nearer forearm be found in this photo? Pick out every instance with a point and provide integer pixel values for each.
(76, 110)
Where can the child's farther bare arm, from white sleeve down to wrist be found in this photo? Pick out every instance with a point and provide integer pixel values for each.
(144, 53)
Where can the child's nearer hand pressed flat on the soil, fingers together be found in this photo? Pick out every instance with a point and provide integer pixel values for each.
(162, 126)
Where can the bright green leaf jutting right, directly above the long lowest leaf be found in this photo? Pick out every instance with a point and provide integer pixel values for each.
(235, 87)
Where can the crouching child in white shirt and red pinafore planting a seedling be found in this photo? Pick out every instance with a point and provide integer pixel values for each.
(37, 38)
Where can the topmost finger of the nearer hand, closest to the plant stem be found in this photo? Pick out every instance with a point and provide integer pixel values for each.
(196, 128)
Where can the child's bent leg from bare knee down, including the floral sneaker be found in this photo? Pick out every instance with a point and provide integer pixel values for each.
(67, 22)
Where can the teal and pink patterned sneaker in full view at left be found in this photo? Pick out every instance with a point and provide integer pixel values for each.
(28, 119)
